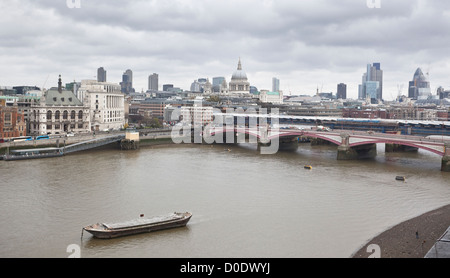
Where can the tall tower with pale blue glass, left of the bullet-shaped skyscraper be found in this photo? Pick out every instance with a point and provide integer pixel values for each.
(372, 83)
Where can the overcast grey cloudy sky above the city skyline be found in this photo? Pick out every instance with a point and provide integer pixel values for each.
(306, 44)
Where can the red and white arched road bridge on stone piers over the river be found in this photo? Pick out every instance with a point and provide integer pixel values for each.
(351, 145)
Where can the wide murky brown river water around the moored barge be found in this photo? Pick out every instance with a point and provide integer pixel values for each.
(244, 204)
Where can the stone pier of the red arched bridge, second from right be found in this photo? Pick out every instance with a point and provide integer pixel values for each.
(345, 152)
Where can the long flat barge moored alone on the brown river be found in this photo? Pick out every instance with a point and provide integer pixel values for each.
(137, 226)
